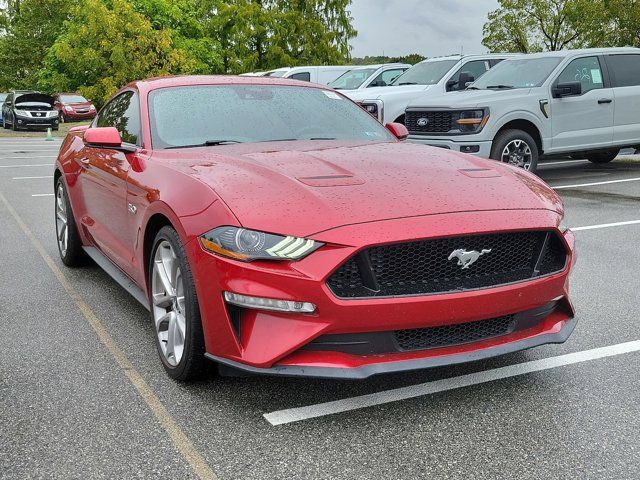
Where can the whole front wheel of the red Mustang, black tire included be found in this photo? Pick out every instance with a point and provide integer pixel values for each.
(174, 308)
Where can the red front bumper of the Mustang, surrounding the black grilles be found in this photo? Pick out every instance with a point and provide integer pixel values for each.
(275, 343)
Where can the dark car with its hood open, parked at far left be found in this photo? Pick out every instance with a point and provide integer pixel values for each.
(26, 109)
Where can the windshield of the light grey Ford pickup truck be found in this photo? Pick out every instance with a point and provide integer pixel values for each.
(518, 73)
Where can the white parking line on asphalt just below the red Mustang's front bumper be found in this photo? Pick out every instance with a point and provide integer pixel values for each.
(379, 398)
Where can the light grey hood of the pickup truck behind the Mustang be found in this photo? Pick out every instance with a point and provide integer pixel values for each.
(468, 98)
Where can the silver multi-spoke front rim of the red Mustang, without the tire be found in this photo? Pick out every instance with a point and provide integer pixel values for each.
(167, 296)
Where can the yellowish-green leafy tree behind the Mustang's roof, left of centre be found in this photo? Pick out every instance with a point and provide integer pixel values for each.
(106, 45)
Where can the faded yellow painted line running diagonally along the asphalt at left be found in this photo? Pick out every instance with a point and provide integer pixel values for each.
(180, 440)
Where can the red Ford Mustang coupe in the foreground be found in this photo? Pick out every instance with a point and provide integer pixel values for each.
(273, 226)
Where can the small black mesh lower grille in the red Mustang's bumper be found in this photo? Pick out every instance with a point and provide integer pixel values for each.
(446, 335)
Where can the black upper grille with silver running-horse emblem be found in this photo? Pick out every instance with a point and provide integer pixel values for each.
(437, 265)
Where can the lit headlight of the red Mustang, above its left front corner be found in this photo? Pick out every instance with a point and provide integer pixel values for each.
(248, 245)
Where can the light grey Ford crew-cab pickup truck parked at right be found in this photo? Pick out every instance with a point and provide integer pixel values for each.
(579, 103)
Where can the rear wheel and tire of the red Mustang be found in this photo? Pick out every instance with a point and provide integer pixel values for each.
(67, 236)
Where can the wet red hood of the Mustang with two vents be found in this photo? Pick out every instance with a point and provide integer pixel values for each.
(302, 188)
